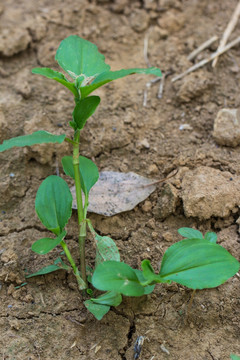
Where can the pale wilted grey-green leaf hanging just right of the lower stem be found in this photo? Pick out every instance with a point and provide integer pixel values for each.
(106, 249)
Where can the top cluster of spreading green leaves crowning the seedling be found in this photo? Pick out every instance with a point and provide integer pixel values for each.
(86, 66)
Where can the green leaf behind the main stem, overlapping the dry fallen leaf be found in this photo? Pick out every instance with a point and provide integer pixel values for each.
(88, 171)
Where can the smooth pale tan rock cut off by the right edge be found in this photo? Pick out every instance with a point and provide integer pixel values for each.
(227, 127)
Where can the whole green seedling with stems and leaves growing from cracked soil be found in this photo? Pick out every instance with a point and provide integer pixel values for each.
(196, 262)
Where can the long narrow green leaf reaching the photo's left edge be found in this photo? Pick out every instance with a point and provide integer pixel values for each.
(38, 137)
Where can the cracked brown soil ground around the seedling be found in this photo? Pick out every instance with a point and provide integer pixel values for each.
(46, 318)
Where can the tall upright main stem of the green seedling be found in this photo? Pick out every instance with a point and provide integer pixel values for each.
(81, 212)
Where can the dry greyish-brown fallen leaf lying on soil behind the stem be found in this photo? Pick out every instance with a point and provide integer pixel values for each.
(116, 192)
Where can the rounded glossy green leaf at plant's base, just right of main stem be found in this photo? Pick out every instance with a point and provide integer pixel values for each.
(117, 276)
